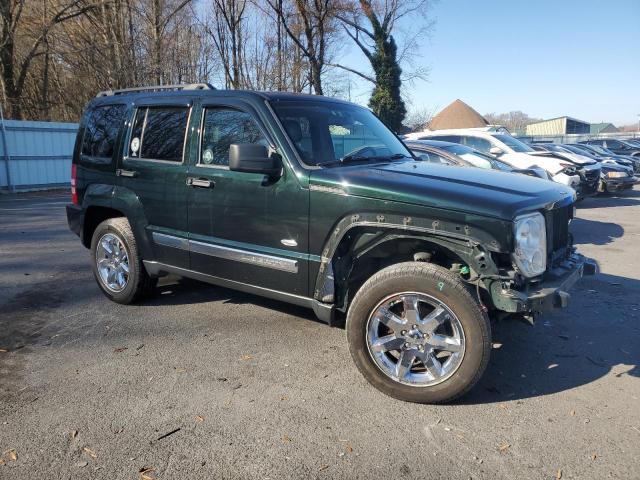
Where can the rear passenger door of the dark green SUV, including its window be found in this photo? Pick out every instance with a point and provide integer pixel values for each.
(154, 170)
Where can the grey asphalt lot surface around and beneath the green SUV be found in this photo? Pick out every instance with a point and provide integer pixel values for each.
(203, 382)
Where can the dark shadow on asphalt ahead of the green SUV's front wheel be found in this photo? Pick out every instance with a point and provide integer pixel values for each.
(594, 337)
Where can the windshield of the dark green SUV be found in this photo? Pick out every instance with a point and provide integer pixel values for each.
(325, 132)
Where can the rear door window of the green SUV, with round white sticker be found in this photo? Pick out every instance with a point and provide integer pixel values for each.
(158, 133)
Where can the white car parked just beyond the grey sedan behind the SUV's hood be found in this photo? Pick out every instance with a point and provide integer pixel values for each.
(507, 149)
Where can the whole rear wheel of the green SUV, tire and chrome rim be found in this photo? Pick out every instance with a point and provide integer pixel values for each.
(116, 262)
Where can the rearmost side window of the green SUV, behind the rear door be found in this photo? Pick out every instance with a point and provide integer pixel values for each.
(101, 131)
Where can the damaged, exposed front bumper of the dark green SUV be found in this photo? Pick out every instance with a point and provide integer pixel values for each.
(553, 291)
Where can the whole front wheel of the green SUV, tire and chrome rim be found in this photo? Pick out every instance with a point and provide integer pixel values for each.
(417, 334)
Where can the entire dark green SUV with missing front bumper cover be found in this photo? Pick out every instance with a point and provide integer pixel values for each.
(313, 201)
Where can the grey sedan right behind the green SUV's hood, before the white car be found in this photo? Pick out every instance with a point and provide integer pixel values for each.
(454, 154)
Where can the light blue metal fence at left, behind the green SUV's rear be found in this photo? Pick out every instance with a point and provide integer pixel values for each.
(35, 155)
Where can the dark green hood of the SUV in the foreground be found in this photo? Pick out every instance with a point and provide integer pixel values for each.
(474, 190)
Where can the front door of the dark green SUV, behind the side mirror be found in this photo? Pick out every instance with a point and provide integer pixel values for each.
(245, 227)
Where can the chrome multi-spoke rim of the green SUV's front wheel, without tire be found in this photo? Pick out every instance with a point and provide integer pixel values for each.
(415, 339)
